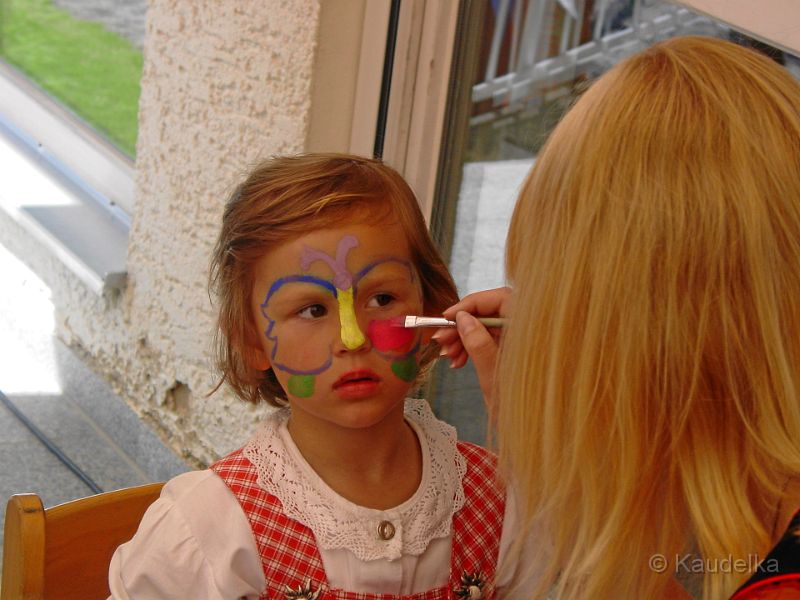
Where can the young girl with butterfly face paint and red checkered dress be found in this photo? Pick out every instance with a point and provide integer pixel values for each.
(349, 490)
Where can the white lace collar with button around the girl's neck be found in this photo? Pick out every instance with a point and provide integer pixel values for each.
(338, 523)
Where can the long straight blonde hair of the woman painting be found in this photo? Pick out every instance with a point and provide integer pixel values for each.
(649, 377)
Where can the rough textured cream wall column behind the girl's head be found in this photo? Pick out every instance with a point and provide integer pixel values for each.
(225, 83)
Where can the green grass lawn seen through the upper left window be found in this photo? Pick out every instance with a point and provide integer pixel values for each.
(94, 72)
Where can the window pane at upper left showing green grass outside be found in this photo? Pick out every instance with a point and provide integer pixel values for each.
(70, 85)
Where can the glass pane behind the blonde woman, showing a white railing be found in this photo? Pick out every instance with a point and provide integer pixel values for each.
(536, 57)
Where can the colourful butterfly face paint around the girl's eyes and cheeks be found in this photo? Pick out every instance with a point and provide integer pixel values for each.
(326, 290)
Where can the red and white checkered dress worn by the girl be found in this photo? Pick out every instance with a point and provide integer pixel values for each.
(289, 552)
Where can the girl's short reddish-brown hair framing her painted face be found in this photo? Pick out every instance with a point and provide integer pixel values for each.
(289, 196)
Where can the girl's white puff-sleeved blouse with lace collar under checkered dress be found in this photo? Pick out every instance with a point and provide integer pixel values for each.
(195, 541)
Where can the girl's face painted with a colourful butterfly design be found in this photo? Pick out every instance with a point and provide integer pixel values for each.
(325, 305)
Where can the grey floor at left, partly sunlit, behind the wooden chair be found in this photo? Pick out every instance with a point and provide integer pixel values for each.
(76, 410)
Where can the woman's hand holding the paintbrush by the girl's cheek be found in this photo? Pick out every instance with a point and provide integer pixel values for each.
(471, 339)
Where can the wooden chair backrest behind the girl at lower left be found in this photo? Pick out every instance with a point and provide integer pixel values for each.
(64, 551)
